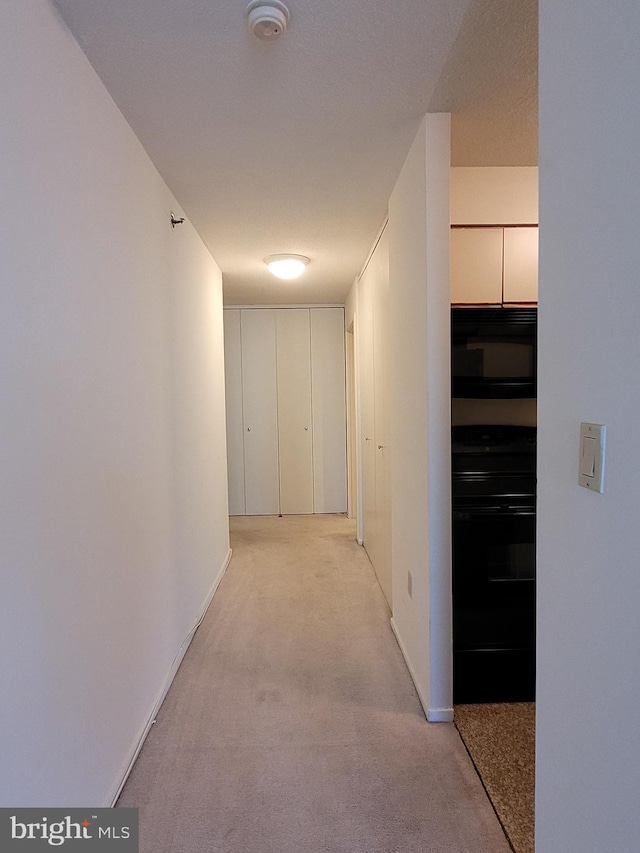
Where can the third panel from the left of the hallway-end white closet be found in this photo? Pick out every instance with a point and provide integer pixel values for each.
(294, 411)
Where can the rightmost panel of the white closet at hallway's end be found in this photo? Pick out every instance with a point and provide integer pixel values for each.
(329, 410)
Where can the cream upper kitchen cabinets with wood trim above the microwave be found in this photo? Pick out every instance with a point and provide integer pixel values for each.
(494, 266)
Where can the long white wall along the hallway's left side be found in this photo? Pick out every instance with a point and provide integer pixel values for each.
(113, 490)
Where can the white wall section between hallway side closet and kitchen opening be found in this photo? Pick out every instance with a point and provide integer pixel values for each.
(420, 405)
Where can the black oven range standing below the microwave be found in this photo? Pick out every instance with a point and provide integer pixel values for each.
(494, 512)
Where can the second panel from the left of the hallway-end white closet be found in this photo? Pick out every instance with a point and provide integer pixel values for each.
(259, 398)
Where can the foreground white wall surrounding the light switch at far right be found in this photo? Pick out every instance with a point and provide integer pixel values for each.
(588, 756)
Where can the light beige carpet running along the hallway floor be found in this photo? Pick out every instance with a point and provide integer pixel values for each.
(293, 726)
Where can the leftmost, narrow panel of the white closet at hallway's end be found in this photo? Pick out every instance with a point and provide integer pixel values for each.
(235, 435)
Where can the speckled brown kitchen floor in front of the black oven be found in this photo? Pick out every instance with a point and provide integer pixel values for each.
(501, 742)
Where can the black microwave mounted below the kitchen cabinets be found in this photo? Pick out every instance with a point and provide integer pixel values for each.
(493, 352)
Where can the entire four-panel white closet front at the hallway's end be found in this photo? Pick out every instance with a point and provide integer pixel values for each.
(286, 416)
